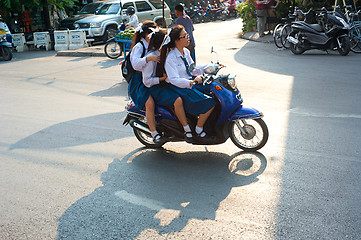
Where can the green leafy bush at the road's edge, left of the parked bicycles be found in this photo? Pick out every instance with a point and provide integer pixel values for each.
(247, 12)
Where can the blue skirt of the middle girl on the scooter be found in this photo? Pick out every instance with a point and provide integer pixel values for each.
(163, 96)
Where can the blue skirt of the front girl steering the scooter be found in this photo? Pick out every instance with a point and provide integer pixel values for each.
(194, 101)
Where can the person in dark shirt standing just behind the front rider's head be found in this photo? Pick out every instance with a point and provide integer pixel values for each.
(184, 20)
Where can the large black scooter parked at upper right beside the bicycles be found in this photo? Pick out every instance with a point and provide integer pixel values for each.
(330, 33)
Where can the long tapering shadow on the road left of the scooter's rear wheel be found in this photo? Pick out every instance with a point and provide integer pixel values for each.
(99, 128)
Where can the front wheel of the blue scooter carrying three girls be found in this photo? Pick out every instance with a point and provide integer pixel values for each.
(249, 134)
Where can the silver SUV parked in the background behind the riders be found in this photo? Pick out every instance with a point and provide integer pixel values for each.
(104, 24)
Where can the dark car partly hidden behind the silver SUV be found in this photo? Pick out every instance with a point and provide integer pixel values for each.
(86, 11)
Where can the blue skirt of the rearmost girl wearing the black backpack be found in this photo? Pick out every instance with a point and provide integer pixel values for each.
(138, 91)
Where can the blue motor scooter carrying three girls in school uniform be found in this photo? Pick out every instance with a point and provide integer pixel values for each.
(229, 119)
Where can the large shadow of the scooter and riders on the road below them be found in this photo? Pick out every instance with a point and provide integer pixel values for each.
(159, 190)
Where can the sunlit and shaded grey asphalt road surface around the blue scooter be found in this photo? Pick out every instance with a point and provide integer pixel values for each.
(69, 169)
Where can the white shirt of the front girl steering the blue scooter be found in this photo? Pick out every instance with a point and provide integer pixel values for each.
(176, 70)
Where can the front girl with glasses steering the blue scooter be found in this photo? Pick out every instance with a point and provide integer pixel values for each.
(175, 58)
